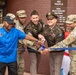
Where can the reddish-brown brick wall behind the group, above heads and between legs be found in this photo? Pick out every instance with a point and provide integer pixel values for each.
(42, 6)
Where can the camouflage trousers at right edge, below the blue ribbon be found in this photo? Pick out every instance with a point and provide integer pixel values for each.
(73, 62)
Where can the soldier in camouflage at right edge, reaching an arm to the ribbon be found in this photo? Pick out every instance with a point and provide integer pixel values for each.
(70, 40)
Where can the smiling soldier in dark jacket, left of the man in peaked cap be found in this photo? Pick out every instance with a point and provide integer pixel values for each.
(33, 28)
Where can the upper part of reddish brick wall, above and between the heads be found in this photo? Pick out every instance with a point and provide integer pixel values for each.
(42, 6)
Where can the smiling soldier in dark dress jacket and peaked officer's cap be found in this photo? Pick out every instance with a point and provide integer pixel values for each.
(53, 34)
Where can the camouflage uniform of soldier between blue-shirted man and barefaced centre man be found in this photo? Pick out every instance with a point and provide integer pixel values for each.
(20, 58)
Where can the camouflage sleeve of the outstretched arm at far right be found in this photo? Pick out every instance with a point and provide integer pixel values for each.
(69, 40)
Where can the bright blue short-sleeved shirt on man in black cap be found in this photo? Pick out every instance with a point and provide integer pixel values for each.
(8, 44)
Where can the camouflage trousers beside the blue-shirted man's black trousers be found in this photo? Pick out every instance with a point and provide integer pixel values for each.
(20, 61)
